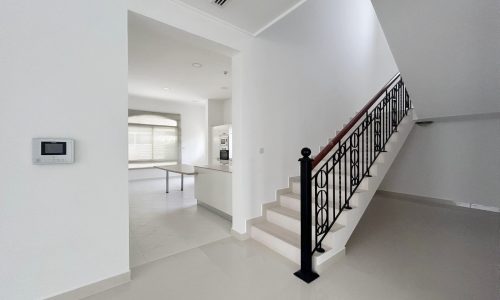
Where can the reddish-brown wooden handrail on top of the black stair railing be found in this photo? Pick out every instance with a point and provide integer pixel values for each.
(350, 125)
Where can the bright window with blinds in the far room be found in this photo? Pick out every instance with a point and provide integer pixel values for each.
(153, 138)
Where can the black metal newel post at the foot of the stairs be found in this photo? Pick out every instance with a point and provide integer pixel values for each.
(306, 272)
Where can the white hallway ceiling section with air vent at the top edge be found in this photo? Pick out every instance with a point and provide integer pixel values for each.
(251, 16)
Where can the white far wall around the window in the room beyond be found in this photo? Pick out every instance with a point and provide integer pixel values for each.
(193, 131)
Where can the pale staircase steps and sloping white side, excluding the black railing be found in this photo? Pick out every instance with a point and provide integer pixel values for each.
(279, 227)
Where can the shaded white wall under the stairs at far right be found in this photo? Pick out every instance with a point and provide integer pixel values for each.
(455, 160)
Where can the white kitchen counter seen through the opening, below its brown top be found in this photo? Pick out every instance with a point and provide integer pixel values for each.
(213, 188)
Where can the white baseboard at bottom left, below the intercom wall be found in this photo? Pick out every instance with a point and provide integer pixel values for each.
(93, 288)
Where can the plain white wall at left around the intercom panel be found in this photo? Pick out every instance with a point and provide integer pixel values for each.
(63, 74)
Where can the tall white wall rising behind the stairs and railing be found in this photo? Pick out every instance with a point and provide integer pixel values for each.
(294, 86)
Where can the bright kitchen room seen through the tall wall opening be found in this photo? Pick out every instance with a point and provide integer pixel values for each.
(180, 139)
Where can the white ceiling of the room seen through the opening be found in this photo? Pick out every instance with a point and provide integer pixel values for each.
(161, 57)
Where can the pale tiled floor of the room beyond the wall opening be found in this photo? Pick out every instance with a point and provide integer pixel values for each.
(164, 224)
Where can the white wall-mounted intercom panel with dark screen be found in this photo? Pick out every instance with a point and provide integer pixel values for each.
(47, 151)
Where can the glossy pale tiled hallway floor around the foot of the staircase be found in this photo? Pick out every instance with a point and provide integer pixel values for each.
(400, 250)
